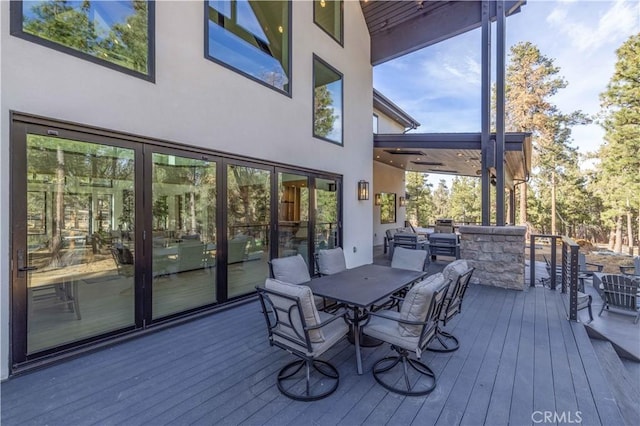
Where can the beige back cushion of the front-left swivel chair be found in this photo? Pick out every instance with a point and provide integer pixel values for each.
(309, 311)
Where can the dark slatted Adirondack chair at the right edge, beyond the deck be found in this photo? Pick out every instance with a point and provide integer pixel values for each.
(621, 295)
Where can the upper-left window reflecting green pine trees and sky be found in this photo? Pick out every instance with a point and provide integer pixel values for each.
(117, 34)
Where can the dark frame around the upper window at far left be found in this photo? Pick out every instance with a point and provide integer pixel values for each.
(15, 27)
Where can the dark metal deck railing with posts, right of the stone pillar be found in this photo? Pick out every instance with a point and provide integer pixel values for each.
(568, 271)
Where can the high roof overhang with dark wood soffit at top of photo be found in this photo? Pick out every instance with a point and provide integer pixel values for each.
(400, 27)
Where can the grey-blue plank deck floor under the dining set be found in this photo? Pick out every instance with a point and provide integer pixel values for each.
(519, 358)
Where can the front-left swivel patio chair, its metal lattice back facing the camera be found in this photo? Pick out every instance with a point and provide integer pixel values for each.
(295, 325)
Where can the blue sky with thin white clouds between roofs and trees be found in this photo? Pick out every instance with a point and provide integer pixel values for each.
(440, 85)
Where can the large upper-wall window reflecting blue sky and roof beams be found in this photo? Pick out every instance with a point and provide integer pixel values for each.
(252, 37)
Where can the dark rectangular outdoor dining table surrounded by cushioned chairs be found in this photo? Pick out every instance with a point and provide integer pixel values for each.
(360, 288)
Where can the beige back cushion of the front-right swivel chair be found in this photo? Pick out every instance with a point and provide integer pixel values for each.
(416, 304)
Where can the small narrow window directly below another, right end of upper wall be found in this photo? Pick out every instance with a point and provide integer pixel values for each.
(327, 102)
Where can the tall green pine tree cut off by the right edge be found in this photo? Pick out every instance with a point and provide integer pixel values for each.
(620, 159)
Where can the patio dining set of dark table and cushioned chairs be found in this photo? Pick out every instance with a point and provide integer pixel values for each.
(370, 305)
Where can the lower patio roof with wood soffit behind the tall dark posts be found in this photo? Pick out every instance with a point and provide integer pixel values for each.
(457, 154)
